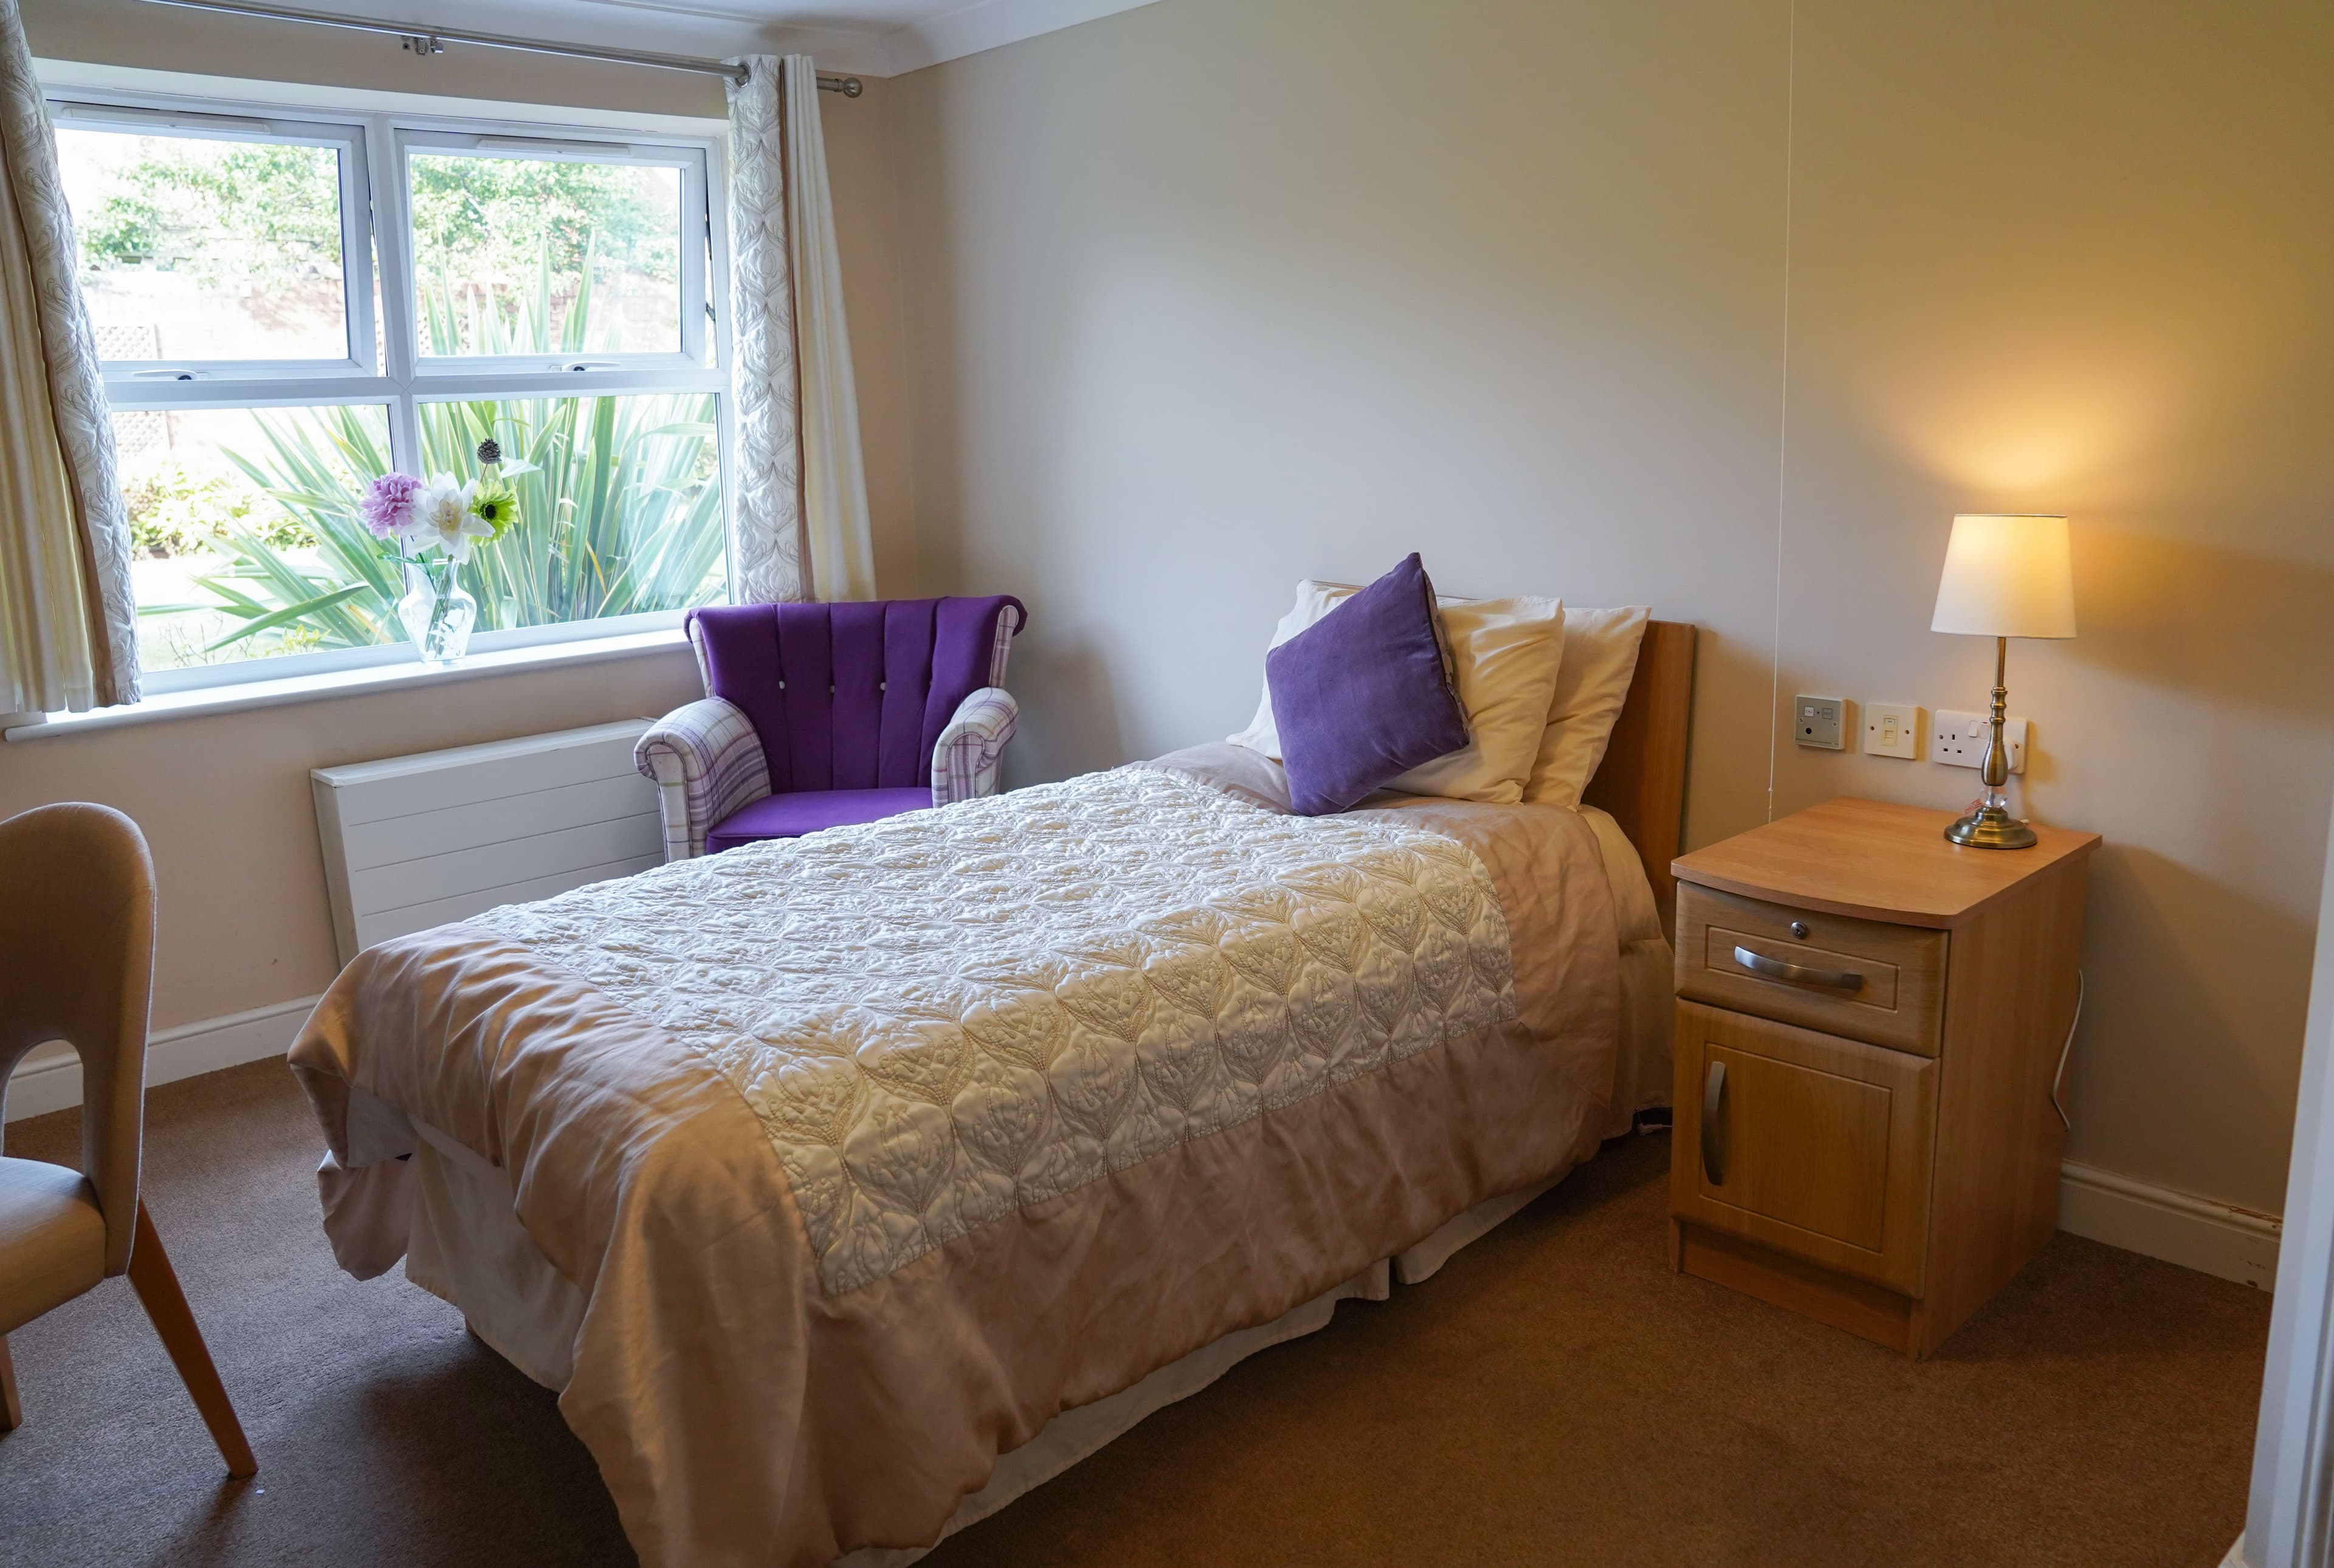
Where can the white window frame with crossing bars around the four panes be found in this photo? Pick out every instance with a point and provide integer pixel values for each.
(375, 227)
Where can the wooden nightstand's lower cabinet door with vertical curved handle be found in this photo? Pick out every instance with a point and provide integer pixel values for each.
(1805, 1142)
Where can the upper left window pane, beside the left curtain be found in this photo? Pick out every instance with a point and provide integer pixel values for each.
(207, 248)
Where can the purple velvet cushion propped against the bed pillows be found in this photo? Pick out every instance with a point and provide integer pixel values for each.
(1362, 694)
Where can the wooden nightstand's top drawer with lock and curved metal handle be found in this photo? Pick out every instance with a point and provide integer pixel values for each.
(1845, 976)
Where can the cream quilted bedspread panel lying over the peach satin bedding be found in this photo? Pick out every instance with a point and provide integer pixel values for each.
(958, 1014)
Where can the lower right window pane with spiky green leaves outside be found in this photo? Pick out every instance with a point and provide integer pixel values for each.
(620, 505)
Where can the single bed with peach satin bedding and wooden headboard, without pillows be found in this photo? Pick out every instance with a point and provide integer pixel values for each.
(851, 1186)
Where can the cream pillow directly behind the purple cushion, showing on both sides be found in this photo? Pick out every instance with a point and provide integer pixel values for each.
(1504, 654)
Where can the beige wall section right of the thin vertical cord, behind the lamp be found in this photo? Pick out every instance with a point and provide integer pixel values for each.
(2081, 258)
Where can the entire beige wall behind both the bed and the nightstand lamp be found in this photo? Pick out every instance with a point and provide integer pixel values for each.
(1227, 293)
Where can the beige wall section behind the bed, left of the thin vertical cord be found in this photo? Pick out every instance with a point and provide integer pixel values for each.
(1213, 297)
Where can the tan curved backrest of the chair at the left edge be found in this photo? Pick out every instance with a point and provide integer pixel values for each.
(78, 967)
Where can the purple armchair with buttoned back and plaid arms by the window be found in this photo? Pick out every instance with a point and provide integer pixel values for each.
(825, 715)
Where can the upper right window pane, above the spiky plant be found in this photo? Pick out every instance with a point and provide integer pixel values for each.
(545, 258)
